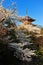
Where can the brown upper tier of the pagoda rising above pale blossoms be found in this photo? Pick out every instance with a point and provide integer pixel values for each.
(26, 19)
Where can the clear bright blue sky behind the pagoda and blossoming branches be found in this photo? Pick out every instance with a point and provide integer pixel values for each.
(35, 8)
